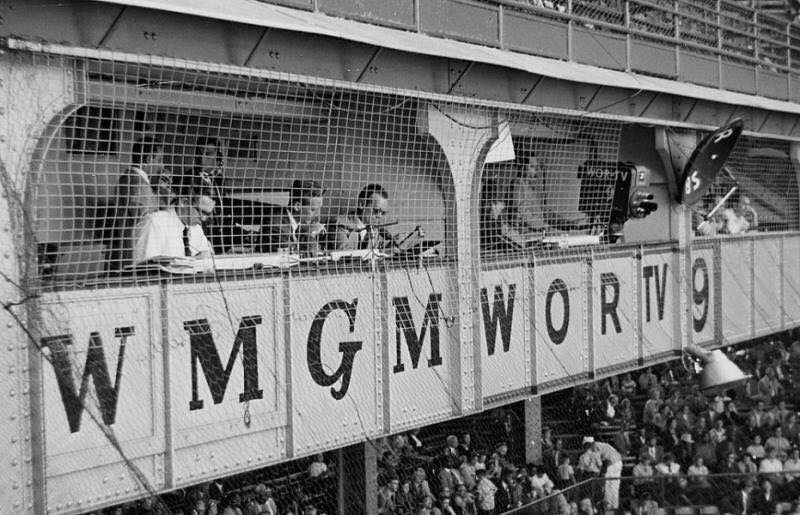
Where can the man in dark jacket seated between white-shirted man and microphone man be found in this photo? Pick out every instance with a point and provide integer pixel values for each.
(297, 226)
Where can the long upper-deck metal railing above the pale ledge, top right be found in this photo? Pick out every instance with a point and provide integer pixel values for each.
(697, 33)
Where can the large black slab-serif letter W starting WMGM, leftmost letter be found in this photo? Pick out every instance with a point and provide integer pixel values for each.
(96, 367)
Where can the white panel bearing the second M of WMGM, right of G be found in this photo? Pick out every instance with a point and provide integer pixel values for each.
(422, 336)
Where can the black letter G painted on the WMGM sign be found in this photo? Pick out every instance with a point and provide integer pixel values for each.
(348, 349)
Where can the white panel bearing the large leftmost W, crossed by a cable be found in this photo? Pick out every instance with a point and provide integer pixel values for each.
(102, 371)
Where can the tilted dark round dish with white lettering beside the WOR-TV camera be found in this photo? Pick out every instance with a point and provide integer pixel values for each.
(707, 160)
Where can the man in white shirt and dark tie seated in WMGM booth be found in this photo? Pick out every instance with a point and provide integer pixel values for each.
(176, 232)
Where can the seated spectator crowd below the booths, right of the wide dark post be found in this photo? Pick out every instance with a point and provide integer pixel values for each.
(656, 435)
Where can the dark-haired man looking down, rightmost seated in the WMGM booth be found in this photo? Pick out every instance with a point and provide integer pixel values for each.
(365, 228)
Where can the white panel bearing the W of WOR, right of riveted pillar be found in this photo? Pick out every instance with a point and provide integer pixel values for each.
(504, 327)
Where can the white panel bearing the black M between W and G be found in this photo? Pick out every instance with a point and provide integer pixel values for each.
(227, 376)
